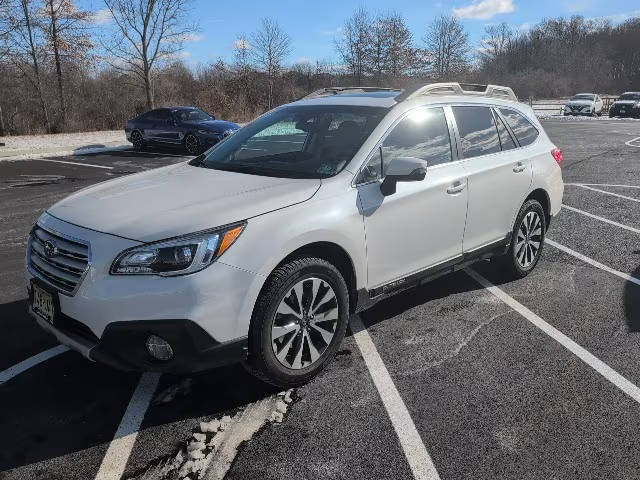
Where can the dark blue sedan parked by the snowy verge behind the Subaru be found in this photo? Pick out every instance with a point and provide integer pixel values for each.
(187, 126)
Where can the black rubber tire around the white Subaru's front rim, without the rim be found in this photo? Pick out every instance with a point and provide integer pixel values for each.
(262, 361)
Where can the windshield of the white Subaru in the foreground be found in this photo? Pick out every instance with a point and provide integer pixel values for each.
(296, 142)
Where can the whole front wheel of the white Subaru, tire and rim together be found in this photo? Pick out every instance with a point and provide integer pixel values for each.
(298, 322)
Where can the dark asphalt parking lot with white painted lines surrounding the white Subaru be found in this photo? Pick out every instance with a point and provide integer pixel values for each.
(480, 378)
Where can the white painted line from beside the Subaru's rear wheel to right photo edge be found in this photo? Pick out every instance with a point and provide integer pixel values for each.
(594, 362)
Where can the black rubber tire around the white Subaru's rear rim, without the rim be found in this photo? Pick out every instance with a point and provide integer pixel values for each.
(513, 267)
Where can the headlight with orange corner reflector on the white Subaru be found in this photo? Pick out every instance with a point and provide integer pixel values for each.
(177, 256)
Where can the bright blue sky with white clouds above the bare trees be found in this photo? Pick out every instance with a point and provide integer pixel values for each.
(314, 25)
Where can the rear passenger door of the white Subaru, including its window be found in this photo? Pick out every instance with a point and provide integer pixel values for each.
(499, 174)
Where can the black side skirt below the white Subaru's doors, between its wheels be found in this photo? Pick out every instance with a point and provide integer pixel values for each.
(368, 298)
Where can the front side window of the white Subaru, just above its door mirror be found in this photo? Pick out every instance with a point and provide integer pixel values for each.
(423, 133)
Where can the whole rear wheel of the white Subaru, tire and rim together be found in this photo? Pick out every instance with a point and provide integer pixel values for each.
(527, 240)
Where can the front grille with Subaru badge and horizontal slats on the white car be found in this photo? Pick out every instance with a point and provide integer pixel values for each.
(58, 260)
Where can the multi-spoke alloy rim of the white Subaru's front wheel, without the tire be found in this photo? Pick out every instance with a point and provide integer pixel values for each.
(304, 323)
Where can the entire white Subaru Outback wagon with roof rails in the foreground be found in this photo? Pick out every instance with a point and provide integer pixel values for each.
(260, 249)
